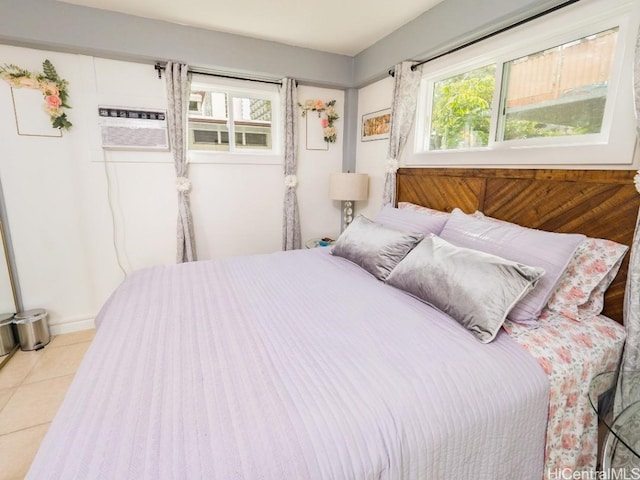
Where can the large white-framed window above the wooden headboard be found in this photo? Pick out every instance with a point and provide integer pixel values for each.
(505, 94)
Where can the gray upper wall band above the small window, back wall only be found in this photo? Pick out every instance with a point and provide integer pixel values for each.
(49, 24)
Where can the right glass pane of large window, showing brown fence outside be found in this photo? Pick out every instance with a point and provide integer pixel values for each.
(559, 91)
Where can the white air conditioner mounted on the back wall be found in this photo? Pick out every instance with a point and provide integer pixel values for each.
(133, 129)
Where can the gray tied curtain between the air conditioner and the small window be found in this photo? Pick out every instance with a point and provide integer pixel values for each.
(178, 80)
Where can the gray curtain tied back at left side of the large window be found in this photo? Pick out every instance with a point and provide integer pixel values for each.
(403, 110)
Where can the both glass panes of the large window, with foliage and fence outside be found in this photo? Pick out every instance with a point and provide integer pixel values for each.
(556, 92)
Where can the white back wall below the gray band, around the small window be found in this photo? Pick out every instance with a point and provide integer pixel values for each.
(68, 238)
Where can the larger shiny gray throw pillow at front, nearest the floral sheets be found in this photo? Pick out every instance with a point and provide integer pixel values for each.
(476, 289)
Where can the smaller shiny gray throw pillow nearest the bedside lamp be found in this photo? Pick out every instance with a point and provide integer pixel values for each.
(375, 248)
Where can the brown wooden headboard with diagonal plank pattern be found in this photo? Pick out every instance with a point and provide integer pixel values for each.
(596, 203)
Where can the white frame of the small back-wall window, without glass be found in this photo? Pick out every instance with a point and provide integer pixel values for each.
(239, 88)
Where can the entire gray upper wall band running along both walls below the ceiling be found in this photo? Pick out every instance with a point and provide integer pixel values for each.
(53, 25)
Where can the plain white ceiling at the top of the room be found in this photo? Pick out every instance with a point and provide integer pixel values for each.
(337, 26)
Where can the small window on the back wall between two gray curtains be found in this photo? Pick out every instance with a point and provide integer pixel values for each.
(235, 121)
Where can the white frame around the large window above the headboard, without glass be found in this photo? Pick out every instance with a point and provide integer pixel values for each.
(614, 146)
